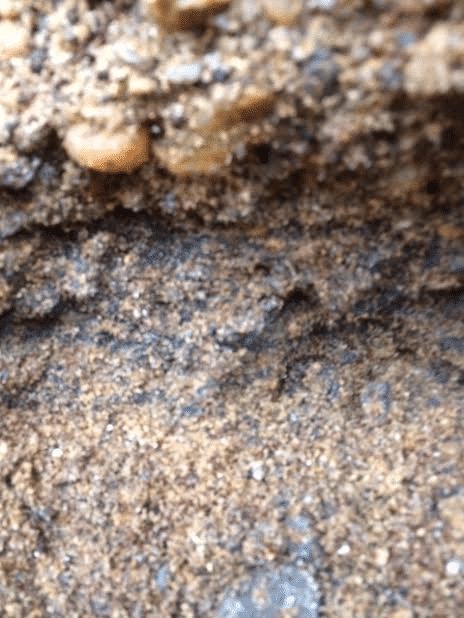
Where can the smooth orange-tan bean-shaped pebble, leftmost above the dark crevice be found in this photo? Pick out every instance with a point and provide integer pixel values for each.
(112, 152)
